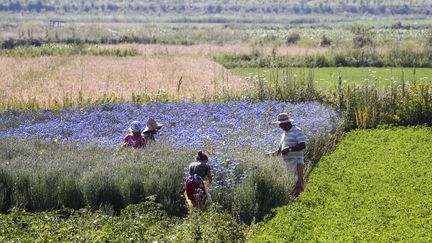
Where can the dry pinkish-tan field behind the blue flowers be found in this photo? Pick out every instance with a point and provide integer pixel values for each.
(45, 78)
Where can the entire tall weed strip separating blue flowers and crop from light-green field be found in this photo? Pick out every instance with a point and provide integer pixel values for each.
(365, 105)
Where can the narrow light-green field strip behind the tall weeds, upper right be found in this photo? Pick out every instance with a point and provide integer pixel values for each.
(327, 78)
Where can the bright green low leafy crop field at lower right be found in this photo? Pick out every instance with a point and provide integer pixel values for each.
(374, 187)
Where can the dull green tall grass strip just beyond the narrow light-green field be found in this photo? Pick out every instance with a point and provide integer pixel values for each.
(363, 57)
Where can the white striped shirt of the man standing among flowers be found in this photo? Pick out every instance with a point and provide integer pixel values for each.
(290, 139)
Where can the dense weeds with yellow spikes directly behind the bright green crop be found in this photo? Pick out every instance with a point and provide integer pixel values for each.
(401, 104)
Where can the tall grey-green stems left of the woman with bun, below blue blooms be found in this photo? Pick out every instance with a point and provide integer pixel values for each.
(42, 175)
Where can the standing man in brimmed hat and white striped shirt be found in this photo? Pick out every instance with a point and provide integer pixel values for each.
(291, 149)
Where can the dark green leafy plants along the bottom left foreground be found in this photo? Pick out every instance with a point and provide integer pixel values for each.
(145, 222)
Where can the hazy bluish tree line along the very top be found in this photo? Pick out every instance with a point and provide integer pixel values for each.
(219, 7)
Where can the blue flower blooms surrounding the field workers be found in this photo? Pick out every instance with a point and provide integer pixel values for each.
(212, 127)
